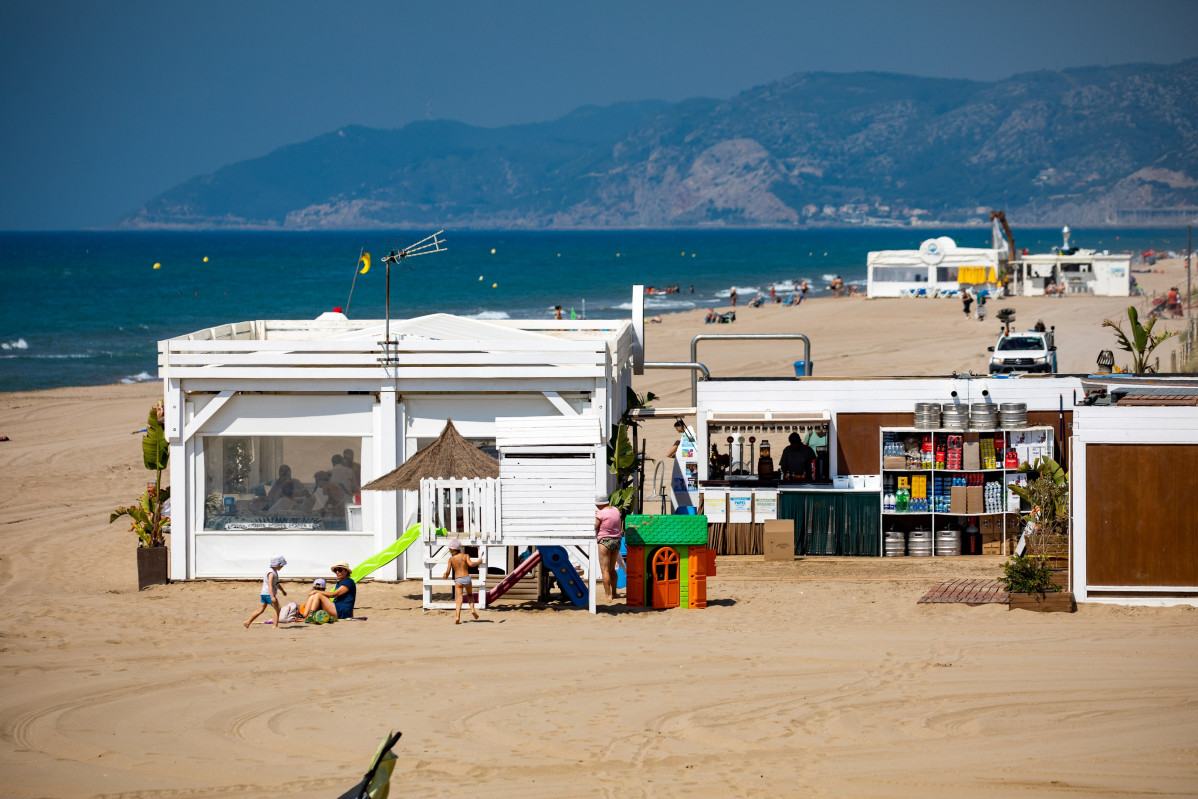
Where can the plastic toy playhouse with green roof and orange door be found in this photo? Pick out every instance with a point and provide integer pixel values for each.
(668, 561)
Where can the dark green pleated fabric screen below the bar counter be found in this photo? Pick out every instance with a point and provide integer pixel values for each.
(834, 523)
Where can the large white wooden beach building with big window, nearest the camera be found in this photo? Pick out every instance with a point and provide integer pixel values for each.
(247, 401)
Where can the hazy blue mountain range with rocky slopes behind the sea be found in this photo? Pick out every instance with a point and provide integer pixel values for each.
(1096, 147)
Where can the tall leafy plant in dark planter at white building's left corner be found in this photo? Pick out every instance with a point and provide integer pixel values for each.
(149, 518)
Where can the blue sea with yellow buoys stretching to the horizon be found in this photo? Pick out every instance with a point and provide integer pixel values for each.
(88, 308)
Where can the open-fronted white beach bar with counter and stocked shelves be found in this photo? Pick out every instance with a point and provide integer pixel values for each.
(844, 509)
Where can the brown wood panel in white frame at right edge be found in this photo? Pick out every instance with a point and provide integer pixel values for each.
(1141, 526)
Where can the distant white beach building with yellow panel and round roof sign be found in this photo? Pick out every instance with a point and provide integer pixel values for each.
(937, 268)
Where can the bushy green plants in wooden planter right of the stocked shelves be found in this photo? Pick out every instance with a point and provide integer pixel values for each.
(1030, 578)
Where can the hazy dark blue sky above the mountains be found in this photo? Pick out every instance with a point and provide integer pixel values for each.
(108, 105)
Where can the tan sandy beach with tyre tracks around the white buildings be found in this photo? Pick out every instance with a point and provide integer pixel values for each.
(820, 677)
